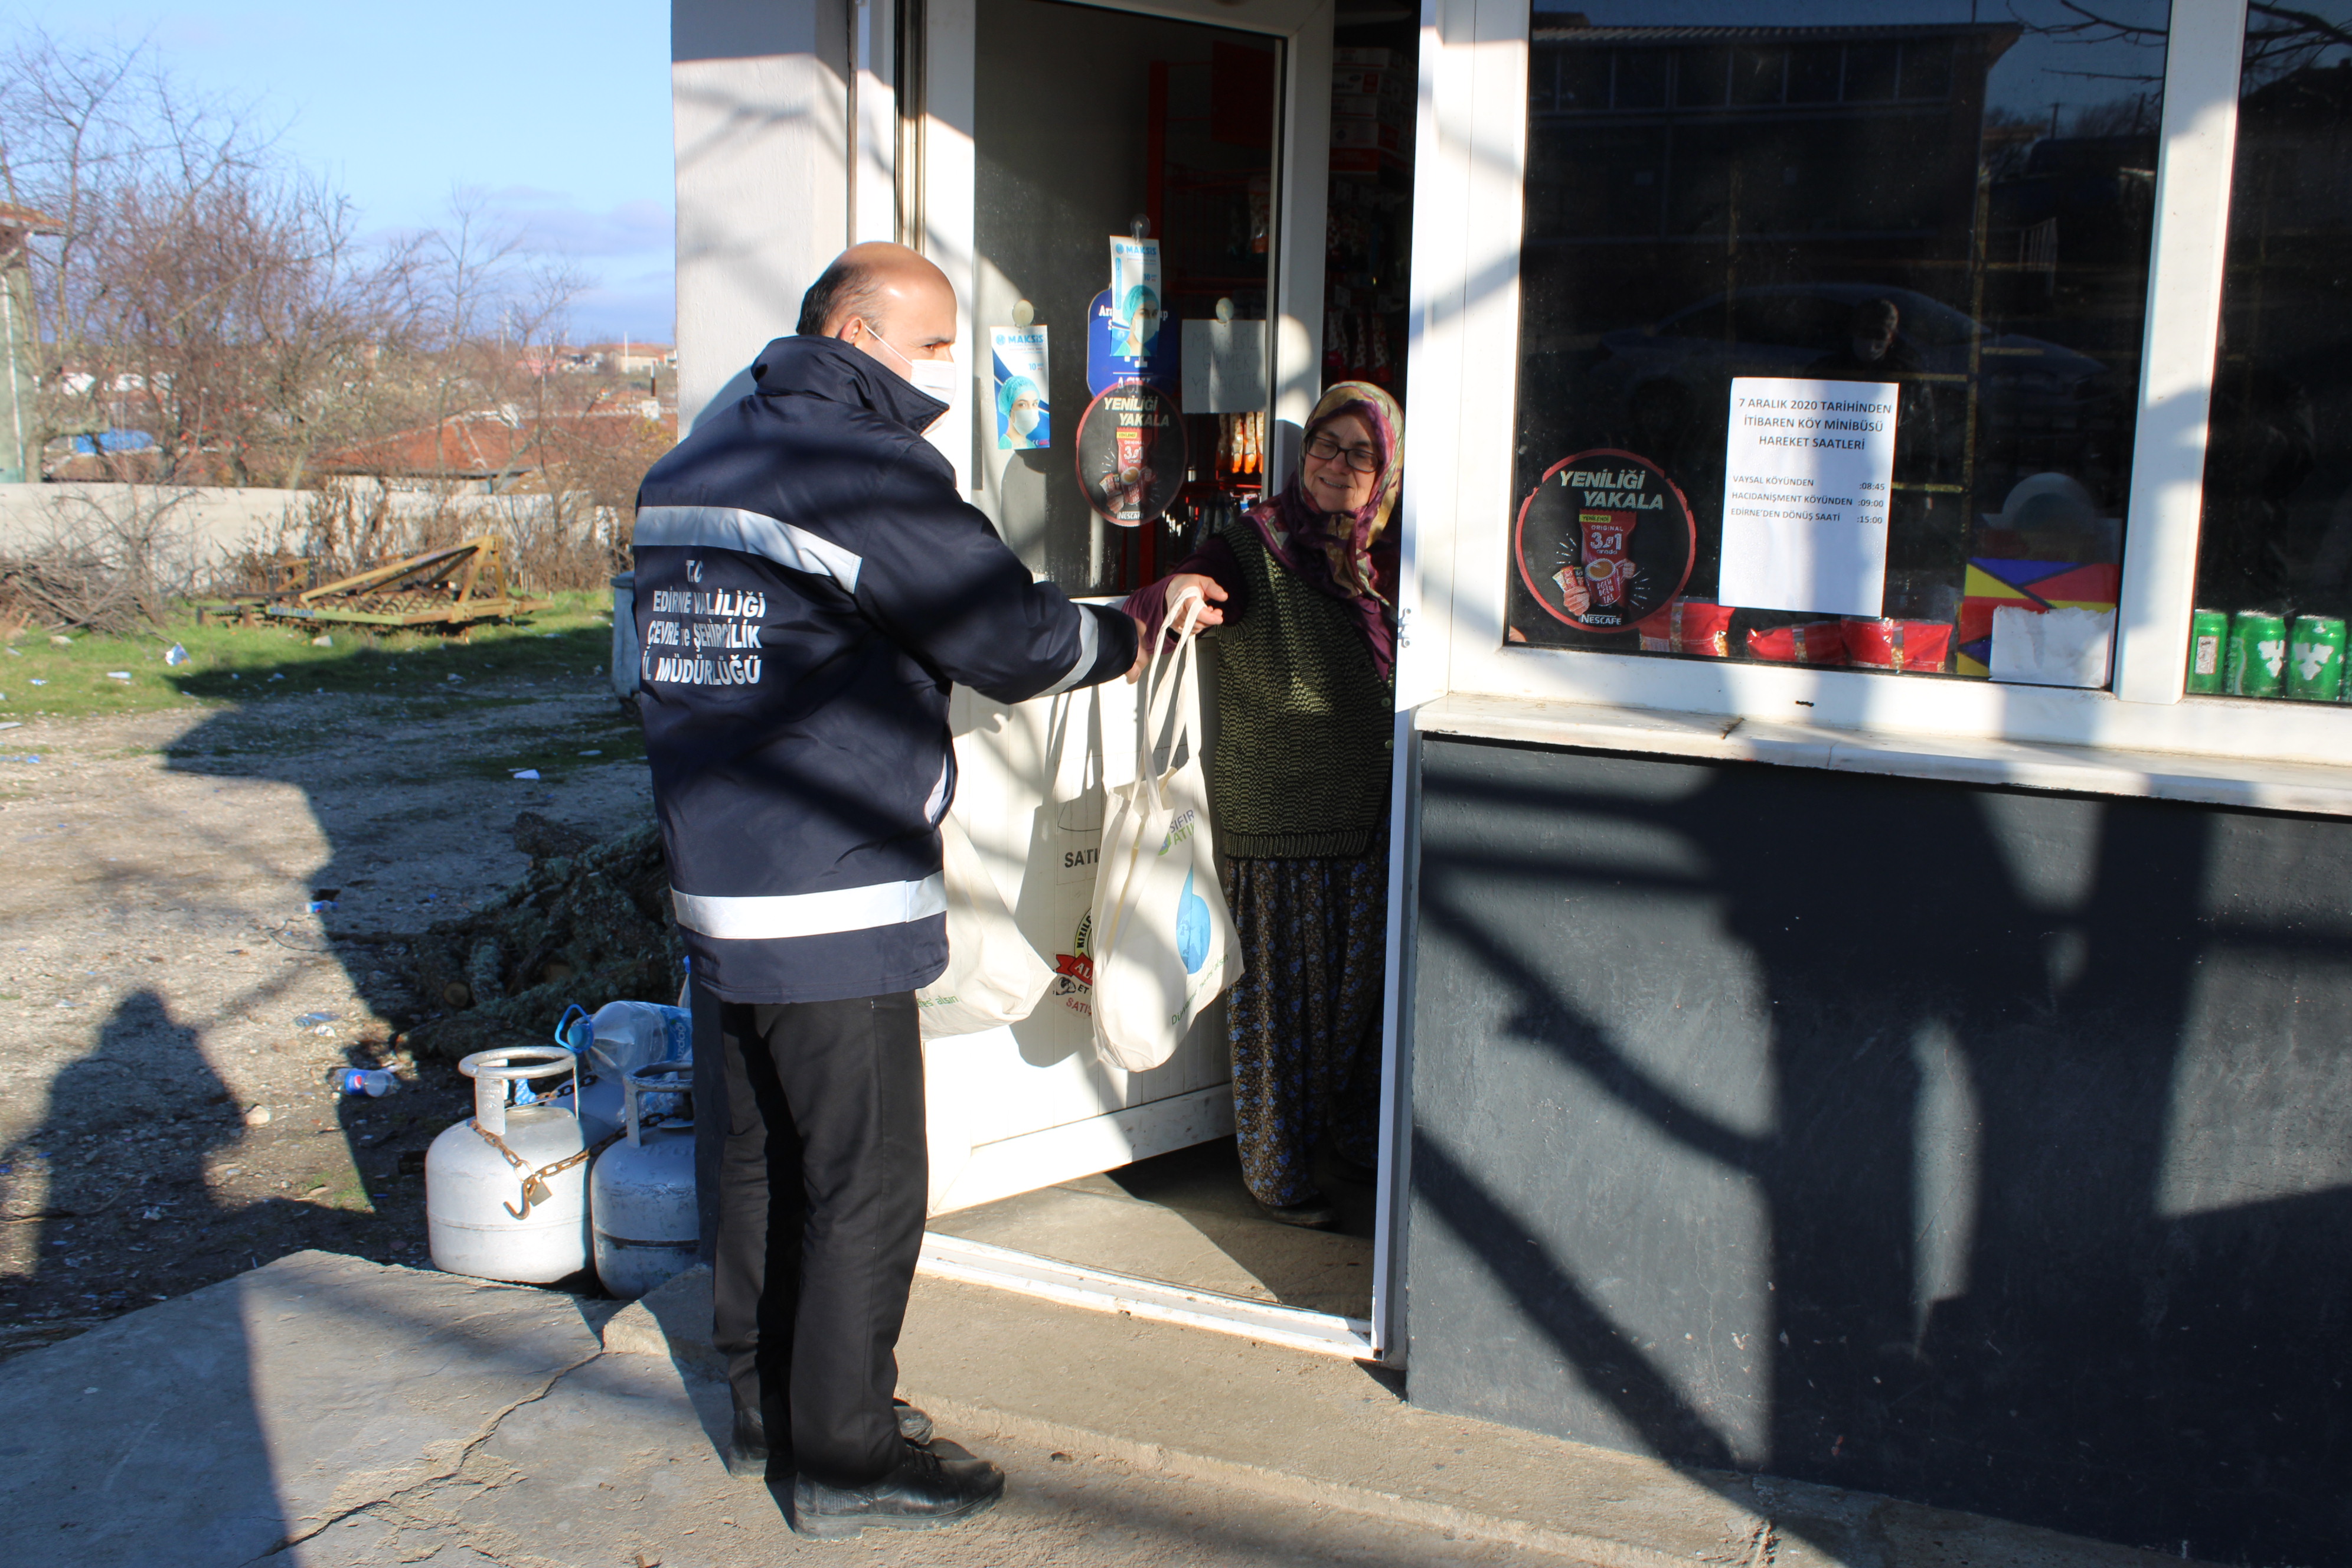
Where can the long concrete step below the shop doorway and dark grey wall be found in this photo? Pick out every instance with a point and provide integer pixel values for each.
(1337, 1435)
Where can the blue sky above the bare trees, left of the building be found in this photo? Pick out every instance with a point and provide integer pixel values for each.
(559, 112)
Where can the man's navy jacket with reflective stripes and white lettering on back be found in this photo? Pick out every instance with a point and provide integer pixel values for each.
(808, 589)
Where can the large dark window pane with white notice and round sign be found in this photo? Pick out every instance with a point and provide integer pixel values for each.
(1831, 335)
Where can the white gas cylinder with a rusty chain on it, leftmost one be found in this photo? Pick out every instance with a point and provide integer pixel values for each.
(507, 1193)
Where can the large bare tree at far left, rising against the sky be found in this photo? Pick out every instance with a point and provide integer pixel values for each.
(201, 290)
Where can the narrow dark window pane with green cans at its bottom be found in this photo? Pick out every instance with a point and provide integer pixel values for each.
(2276, 554)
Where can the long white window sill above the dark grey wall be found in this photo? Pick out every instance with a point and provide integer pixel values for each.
(2026, 765)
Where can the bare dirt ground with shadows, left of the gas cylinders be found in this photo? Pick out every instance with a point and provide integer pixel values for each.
(171, 1007)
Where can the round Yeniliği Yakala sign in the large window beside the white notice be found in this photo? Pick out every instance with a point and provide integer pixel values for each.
(1605, 540)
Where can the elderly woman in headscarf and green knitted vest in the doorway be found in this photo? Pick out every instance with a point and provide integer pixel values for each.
(1304, 601)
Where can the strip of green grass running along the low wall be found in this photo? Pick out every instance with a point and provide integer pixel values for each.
(236, 664)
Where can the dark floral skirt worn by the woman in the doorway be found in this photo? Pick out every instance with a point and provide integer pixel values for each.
(1307, 1014)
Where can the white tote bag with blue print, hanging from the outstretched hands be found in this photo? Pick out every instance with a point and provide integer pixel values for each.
(1165, 939)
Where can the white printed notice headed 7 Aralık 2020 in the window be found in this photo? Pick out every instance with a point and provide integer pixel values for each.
(1808, 474)
